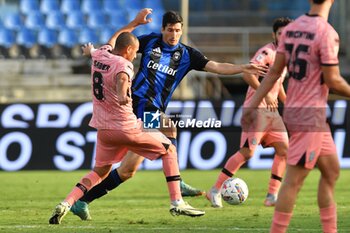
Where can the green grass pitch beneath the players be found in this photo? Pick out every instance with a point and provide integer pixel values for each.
(27, 199)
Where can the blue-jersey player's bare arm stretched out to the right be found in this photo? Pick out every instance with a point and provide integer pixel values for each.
(227, 68)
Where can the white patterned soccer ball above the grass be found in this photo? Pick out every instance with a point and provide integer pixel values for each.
(234, 191)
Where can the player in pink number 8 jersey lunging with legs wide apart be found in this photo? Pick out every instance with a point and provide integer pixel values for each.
(118, 129)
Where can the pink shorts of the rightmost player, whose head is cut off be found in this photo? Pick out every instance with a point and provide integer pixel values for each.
(306, 147)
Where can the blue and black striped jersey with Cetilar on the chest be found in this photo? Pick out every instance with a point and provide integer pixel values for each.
(161, 70)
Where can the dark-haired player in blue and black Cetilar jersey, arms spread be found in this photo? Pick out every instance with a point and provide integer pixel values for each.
(164, 63)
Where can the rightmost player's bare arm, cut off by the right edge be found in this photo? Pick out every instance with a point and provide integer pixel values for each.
(335, 81)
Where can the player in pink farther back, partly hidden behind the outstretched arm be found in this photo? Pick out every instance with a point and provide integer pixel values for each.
(269, 132)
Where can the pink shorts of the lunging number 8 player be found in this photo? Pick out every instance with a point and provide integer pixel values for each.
(112, 145)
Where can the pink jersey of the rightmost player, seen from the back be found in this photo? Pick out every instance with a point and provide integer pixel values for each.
(308, 43)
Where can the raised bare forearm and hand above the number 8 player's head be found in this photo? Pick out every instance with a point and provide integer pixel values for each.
(140, 19)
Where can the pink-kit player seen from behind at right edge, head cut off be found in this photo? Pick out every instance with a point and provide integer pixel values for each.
(309, 47)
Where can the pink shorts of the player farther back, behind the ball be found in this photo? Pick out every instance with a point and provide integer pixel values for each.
(267, 129)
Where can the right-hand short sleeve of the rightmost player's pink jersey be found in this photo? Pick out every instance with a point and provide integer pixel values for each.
(329, 47)
